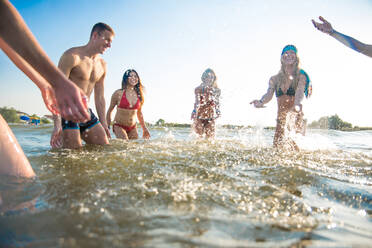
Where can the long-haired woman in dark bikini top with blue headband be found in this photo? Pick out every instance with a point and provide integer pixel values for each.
(289, 85)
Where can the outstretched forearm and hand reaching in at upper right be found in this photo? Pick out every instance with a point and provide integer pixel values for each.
(348, 41)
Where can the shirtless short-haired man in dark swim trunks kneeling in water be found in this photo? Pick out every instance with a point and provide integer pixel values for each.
(84, 66)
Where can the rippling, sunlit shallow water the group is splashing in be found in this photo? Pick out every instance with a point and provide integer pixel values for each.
(179, 191)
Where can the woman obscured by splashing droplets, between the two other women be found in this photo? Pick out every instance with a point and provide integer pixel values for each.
(207, 105)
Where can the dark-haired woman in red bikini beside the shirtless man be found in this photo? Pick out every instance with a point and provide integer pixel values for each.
(129, 100)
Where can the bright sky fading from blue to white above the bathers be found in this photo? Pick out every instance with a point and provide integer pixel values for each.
(170, 43)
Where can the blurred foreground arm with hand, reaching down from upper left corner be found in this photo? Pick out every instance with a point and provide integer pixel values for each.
(15, 33)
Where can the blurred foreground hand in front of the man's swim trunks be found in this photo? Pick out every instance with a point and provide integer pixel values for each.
(72, 102)
